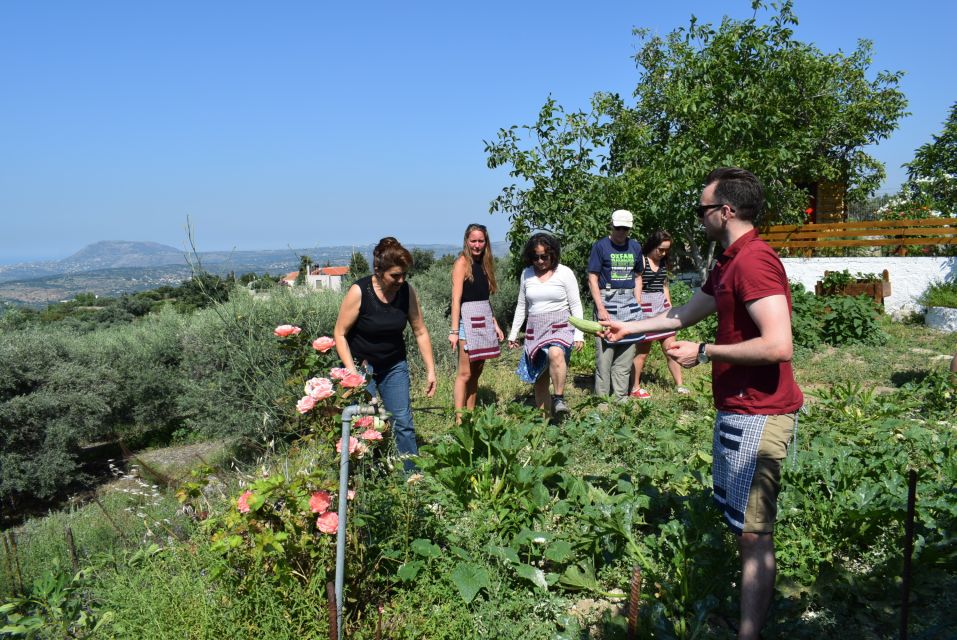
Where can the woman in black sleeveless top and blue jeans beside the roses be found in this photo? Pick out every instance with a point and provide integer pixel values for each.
(370, 328)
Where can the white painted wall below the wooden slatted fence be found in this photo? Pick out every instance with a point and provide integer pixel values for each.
(909, 276)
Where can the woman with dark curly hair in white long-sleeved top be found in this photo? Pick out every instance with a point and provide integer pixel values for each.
(547, 296)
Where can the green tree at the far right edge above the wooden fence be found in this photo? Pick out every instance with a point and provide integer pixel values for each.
(933, 171)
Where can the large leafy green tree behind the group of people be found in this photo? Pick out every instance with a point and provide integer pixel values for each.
(744, 93)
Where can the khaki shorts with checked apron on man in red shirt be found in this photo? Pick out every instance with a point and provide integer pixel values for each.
(746, 472)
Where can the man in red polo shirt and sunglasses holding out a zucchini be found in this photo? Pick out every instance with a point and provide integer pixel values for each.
(752, 380)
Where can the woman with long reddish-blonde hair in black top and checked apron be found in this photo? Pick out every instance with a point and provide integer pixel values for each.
(474, 328)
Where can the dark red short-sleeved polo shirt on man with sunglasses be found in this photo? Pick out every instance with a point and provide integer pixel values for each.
(749, 270)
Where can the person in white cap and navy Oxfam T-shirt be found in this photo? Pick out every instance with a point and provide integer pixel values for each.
(614, 280)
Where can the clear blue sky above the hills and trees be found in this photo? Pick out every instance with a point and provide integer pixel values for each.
(317, 123)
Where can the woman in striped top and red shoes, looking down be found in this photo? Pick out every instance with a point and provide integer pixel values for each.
(655, 300)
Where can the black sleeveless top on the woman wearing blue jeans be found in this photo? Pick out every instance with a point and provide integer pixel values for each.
(377, 335)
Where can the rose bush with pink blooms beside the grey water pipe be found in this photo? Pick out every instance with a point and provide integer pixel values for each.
(284, 520)
